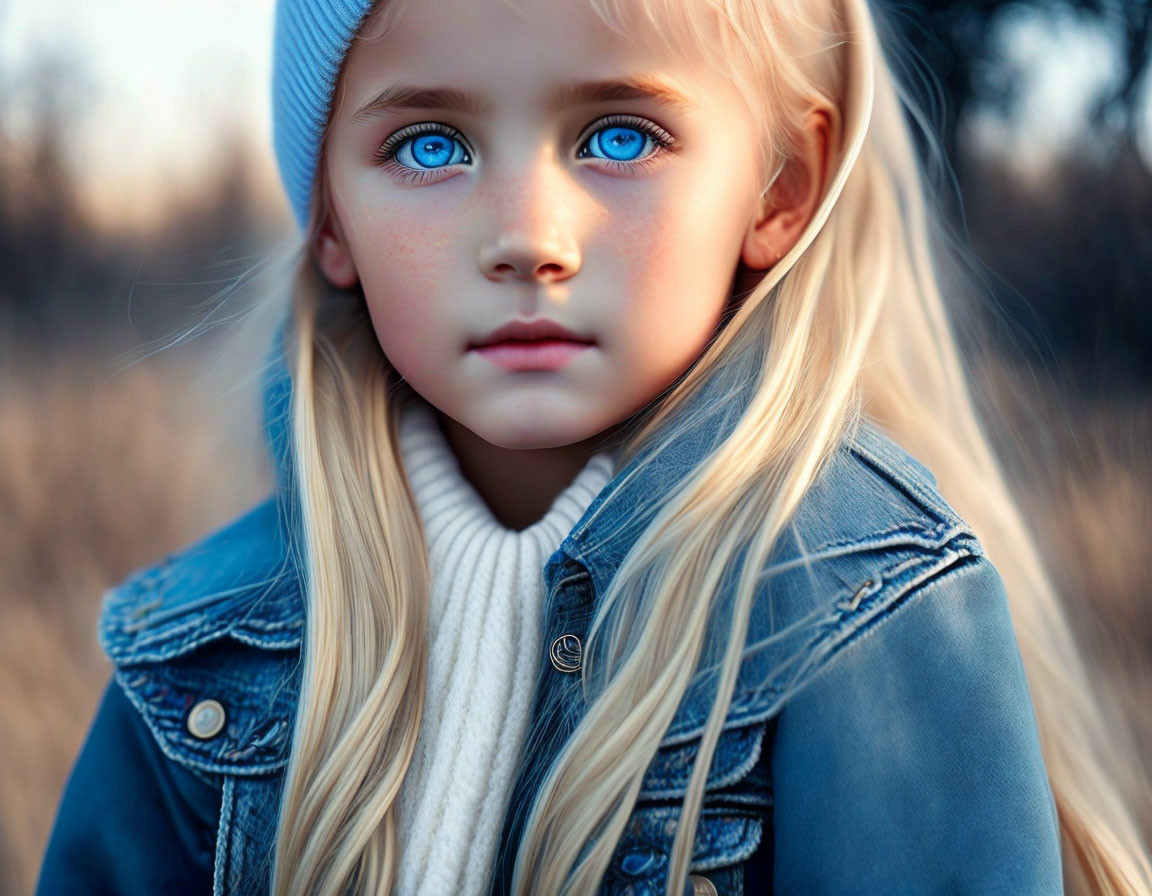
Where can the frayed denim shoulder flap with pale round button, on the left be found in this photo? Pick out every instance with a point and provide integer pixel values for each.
(221, 621)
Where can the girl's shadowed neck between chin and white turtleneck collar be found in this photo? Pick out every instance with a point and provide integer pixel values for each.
(519, 485)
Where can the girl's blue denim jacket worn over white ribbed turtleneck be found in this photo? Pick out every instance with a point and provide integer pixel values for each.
(911, 762)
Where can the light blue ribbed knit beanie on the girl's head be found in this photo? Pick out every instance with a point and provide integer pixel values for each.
(310, 41)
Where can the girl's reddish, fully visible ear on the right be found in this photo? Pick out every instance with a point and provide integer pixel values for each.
(794, 198)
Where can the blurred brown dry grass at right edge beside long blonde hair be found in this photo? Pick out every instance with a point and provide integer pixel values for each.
(1086, 481)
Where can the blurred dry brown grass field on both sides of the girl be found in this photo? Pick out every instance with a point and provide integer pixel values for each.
(101, 475)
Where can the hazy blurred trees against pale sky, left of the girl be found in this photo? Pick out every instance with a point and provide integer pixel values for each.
(66, 282)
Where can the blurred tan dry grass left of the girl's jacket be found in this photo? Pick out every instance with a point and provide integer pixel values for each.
(101, 474)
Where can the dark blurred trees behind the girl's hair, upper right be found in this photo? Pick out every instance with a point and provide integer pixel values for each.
(1071, 253)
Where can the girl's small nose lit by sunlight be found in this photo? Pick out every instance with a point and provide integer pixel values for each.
(535, 241)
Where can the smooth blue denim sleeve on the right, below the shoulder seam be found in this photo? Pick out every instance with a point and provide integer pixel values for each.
(914, 762)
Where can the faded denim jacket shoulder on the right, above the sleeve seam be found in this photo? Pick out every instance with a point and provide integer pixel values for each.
(871, 533)
